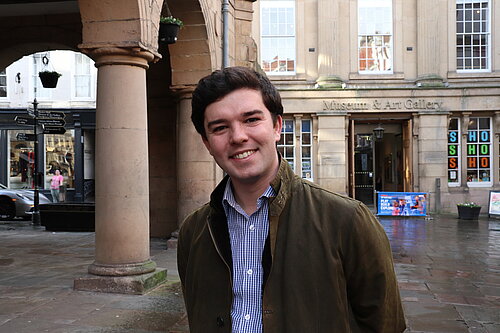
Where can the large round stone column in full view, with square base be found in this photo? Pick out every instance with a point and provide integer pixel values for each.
(122, 259)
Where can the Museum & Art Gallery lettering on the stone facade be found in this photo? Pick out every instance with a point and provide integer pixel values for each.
(377, 104)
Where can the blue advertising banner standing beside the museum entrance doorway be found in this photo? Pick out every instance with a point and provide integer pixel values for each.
(401, 204)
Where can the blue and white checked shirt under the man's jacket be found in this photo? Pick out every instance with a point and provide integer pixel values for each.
(248, 237)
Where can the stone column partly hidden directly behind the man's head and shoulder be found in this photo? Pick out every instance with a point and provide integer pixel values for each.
(197, 173)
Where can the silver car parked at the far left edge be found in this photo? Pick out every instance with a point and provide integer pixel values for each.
(17, 202)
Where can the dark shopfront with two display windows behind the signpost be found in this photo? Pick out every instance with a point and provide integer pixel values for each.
(70, 153)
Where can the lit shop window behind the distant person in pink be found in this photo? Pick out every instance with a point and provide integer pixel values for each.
(60, 155)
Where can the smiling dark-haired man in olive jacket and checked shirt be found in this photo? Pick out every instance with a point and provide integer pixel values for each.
(272, 252)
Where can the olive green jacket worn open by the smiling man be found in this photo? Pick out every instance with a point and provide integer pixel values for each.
(327, 264)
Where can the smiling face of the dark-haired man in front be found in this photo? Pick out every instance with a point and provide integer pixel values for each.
(241, 136)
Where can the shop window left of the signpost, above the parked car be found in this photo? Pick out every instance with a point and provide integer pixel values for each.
(21, 161)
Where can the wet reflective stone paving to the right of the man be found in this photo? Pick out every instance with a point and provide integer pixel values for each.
(449, 273)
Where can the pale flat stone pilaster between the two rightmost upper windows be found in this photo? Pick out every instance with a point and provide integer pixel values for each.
(431, 42)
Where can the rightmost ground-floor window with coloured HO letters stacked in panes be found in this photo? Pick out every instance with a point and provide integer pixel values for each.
(479, 143)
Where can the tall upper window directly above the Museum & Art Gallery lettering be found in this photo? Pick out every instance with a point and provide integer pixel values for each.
(375, 36)
